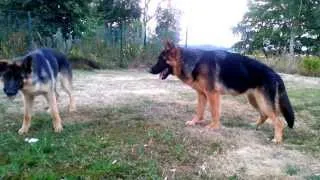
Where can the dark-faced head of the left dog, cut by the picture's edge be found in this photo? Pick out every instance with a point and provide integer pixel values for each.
(14, 75)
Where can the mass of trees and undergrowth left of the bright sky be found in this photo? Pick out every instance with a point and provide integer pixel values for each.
(113, 33)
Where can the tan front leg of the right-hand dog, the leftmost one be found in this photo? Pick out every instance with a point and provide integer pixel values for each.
(202, 101)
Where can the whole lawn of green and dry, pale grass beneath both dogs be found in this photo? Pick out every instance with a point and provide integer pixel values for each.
(137, 132)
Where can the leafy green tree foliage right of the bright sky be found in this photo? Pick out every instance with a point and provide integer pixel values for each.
(280, 21)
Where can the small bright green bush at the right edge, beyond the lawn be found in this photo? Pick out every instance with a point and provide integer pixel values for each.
(310, 66)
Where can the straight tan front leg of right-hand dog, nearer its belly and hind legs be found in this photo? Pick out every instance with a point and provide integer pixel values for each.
(214, 100)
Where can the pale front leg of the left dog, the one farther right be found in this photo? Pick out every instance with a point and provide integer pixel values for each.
(56, 120)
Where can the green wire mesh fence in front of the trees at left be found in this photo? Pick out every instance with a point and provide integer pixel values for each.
(21, 31)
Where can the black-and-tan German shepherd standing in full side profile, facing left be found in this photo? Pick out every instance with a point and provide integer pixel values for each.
(214, 73)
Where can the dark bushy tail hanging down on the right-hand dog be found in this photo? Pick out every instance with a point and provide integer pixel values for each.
(285, 105)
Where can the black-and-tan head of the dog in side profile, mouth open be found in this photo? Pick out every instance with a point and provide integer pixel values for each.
(165, 62)
